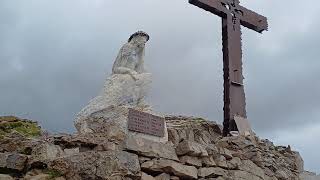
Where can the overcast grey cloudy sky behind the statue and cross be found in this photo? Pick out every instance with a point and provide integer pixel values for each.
(56, 54)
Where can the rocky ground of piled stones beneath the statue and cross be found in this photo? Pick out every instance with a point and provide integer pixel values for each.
(196, 150)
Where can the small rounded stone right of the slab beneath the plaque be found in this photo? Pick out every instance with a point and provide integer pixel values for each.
(191, 148)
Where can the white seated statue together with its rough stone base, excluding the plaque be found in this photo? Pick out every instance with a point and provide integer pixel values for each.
(125, 88)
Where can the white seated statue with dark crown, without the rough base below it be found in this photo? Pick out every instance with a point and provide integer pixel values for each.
(129, 83)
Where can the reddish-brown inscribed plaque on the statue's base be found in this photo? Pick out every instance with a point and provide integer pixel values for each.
(145, 123)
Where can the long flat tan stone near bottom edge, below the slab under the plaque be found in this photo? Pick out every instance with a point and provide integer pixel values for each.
(170, 167)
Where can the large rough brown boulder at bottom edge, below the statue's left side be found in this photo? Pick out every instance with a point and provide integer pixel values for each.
(97, 165)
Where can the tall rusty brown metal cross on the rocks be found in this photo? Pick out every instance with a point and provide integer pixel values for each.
(233, 16)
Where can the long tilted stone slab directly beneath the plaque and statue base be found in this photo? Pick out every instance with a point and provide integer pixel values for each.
(150, 148)
